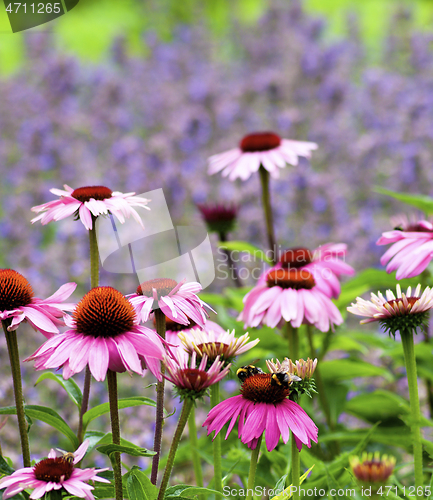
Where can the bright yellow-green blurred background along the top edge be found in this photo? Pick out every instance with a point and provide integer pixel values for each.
(89, 29)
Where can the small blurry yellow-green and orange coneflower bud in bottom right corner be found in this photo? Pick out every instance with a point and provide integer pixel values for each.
(372, 468)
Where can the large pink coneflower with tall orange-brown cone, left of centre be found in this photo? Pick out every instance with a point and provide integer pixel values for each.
(104, 334)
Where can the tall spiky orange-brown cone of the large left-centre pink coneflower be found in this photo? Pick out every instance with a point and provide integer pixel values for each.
(104, 312)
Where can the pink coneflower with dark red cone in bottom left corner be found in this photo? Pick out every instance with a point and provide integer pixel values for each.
(54, 473)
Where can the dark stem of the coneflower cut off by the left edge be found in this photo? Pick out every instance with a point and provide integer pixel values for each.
(14, 359)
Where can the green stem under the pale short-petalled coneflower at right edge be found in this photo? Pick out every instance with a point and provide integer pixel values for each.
(410, 360)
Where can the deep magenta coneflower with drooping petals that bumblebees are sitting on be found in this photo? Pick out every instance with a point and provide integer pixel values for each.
(263, 406)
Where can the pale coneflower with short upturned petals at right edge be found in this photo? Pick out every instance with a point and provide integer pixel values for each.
(405, 312)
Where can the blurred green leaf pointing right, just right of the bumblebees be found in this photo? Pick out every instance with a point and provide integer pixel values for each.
(346, 369)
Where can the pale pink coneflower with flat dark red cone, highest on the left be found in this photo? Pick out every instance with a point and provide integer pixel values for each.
(89, 201)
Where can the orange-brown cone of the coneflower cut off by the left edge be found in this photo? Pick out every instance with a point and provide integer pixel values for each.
(15, 290)
